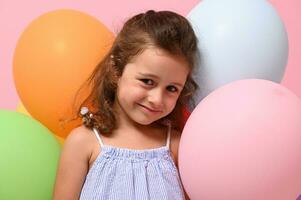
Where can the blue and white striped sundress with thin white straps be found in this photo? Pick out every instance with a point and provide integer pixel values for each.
(128, 174)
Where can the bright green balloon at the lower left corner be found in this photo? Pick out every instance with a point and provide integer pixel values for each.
(29, 155)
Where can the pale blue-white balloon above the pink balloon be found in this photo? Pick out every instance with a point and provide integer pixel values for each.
(238, 39)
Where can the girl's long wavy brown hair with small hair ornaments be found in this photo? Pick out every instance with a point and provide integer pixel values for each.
(163, 29)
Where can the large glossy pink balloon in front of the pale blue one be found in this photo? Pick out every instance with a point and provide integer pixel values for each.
(242, 142)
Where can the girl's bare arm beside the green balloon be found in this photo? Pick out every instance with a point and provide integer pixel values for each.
(73, 165)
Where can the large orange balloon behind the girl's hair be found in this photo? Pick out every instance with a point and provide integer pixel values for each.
(54, 55)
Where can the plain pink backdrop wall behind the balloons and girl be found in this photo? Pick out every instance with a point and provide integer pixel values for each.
(16, 15)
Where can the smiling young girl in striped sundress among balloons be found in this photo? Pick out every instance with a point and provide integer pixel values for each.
(128, 146)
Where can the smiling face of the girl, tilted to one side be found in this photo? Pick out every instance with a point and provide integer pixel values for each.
(150, 86)
